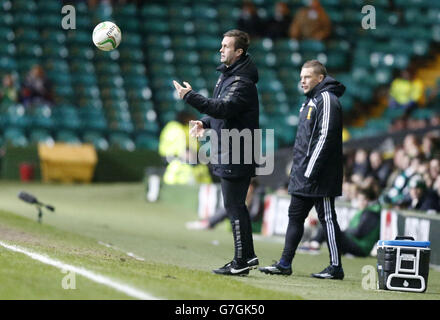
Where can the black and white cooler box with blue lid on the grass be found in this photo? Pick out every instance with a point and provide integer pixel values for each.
(403, 264)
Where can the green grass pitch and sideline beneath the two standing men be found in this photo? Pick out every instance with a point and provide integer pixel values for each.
(171, 263)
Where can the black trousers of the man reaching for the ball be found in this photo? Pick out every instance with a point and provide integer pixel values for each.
(234, 192)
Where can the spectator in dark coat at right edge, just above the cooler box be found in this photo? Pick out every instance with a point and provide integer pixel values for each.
(420, 197)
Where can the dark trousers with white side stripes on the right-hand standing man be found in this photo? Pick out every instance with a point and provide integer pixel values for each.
(299, 209)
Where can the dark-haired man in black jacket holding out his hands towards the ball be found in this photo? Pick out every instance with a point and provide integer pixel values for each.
(233, 108)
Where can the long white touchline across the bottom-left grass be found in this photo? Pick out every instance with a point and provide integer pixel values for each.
(130, 291)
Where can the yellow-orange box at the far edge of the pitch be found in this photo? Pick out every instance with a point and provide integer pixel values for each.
(67, 162)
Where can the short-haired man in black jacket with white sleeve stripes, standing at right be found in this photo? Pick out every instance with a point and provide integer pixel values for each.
(316, 175)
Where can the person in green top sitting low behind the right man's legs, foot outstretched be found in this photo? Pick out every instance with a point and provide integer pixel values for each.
(363, 230)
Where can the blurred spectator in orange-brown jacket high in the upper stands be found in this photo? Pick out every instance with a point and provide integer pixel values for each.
(311, 22)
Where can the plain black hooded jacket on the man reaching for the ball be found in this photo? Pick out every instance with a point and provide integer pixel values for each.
(234, 105)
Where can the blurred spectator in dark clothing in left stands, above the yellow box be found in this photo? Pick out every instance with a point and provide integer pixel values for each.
(36, 87)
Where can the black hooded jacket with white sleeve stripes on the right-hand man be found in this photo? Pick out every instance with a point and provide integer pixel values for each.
(317, 153)
